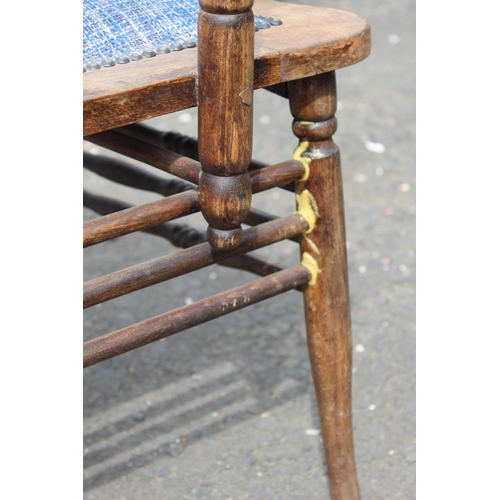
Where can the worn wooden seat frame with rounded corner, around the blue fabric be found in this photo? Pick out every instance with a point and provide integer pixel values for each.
(310, 40)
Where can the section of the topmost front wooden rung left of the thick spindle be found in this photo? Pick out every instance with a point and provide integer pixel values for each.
(136, 218)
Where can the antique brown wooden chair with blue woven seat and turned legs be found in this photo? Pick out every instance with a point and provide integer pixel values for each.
(150, 58)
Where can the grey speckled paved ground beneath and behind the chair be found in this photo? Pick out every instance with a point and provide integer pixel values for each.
(227, 410)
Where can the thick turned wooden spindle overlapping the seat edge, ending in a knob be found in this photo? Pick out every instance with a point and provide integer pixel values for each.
(225, 103)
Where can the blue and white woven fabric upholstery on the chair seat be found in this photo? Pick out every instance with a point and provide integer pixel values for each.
(122, 27)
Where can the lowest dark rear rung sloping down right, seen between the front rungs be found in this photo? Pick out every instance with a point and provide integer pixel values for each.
(181, 235)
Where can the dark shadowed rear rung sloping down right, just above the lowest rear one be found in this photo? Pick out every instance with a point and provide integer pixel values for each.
(124, 173)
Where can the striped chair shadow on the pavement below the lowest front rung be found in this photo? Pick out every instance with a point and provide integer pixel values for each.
(141, 427)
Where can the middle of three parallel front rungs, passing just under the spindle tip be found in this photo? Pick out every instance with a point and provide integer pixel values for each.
(170, 266)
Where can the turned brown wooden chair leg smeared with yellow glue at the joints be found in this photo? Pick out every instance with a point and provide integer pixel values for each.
(326, 297)
